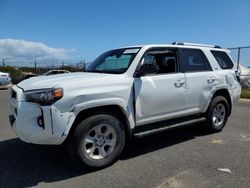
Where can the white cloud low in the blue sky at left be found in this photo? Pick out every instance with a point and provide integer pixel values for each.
(12, 48)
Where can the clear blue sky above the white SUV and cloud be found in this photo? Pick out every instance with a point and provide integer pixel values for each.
(84, 29)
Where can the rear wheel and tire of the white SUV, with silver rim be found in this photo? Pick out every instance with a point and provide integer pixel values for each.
(217, 114)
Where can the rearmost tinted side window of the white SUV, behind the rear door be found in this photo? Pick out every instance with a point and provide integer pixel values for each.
(223, 59)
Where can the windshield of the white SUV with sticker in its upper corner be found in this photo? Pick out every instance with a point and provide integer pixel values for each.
(114, 61)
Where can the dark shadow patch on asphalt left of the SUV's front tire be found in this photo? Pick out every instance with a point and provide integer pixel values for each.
(26, 165)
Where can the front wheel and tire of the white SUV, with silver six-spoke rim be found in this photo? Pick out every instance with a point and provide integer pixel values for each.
(97, 141)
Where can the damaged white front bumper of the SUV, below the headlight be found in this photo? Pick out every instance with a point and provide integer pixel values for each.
(24, 121)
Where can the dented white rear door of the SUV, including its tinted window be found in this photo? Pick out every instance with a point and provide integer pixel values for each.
(200, 78)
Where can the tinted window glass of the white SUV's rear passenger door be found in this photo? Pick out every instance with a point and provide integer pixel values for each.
(193, 60)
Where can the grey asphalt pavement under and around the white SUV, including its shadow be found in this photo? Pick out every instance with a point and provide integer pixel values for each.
(186, 157)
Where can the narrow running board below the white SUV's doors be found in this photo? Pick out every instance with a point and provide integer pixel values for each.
(167, 127)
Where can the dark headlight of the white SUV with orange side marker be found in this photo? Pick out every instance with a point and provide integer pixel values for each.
(44, 96)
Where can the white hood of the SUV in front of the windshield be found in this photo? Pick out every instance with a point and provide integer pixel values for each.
(71, 80)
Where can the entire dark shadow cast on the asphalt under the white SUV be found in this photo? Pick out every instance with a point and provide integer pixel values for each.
(26, 165)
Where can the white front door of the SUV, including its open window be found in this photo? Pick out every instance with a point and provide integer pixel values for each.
(161, 95)
